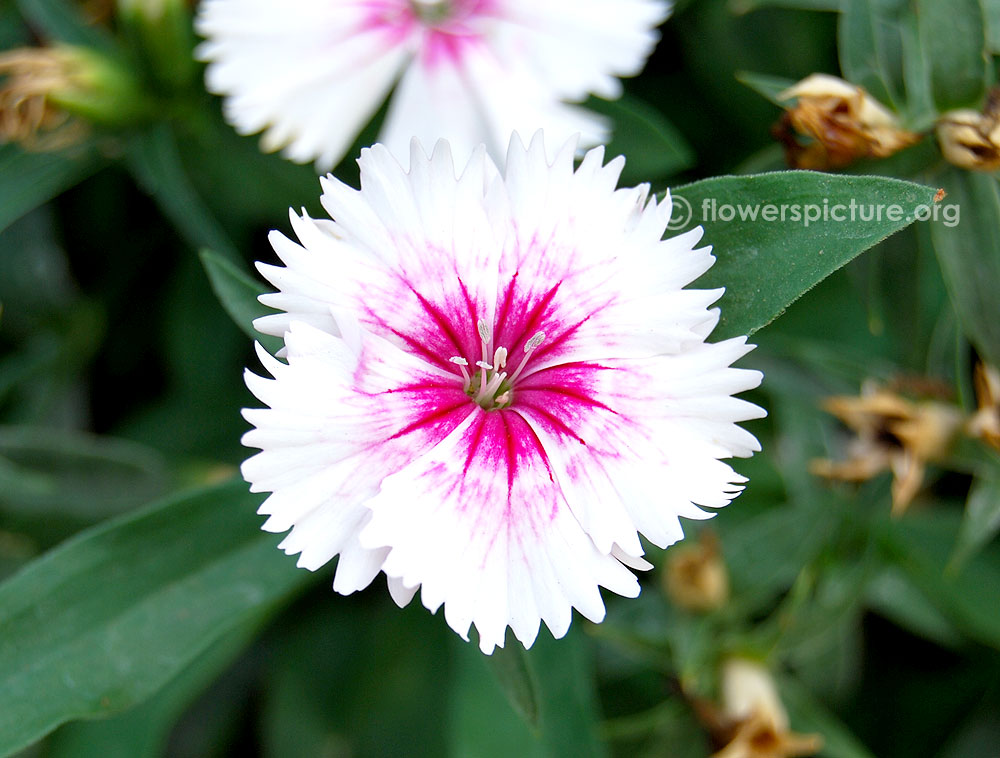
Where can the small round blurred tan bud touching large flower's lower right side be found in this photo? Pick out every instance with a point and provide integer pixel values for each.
(696, 576)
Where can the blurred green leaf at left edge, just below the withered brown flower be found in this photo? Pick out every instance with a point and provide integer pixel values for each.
(29, 179)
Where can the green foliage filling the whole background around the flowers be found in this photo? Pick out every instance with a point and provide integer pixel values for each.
(144, 614)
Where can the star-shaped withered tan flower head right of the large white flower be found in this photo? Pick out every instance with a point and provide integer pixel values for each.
(894, 433)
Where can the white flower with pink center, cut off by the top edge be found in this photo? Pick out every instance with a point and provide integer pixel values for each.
(311, 73)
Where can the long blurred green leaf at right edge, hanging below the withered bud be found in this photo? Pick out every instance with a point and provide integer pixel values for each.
(969, 253)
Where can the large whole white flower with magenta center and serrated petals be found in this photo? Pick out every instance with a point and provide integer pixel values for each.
(495, 383)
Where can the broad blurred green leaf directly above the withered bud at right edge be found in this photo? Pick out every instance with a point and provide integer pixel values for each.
(953, 42)
